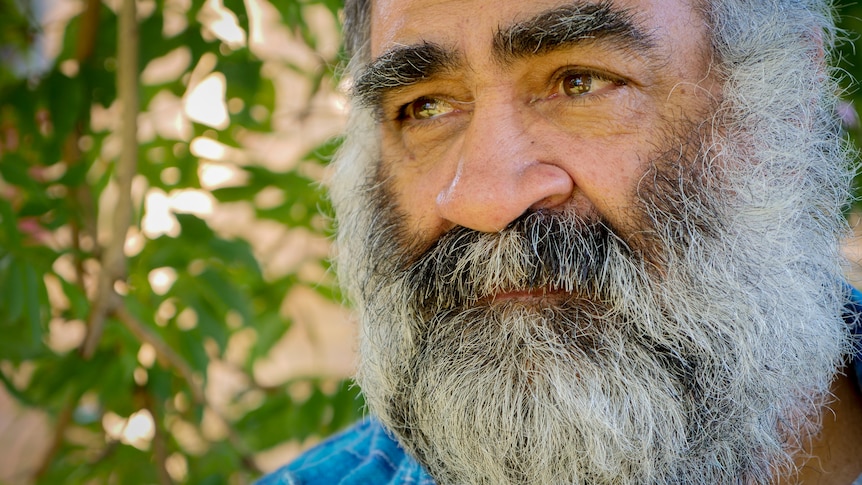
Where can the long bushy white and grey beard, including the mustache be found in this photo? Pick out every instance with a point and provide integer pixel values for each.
(700, 352)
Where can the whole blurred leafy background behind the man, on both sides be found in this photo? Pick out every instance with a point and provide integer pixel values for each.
(167, 310)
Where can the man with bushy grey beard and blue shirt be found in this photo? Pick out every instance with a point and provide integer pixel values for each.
(596, 242)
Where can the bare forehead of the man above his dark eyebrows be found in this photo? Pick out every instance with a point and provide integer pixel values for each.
(469, 24)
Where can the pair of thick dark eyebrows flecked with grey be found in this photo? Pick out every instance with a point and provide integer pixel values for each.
(549, 31)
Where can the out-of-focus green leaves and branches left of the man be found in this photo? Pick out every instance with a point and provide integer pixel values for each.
(153, 340)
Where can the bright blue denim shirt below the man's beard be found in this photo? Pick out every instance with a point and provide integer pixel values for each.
(365, 454)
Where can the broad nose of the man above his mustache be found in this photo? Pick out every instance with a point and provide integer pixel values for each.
(502, 172)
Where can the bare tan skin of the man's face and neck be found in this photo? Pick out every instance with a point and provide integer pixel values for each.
(484, 141)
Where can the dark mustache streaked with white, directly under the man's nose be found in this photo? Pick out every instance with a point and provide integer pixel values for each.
(549, 251)
